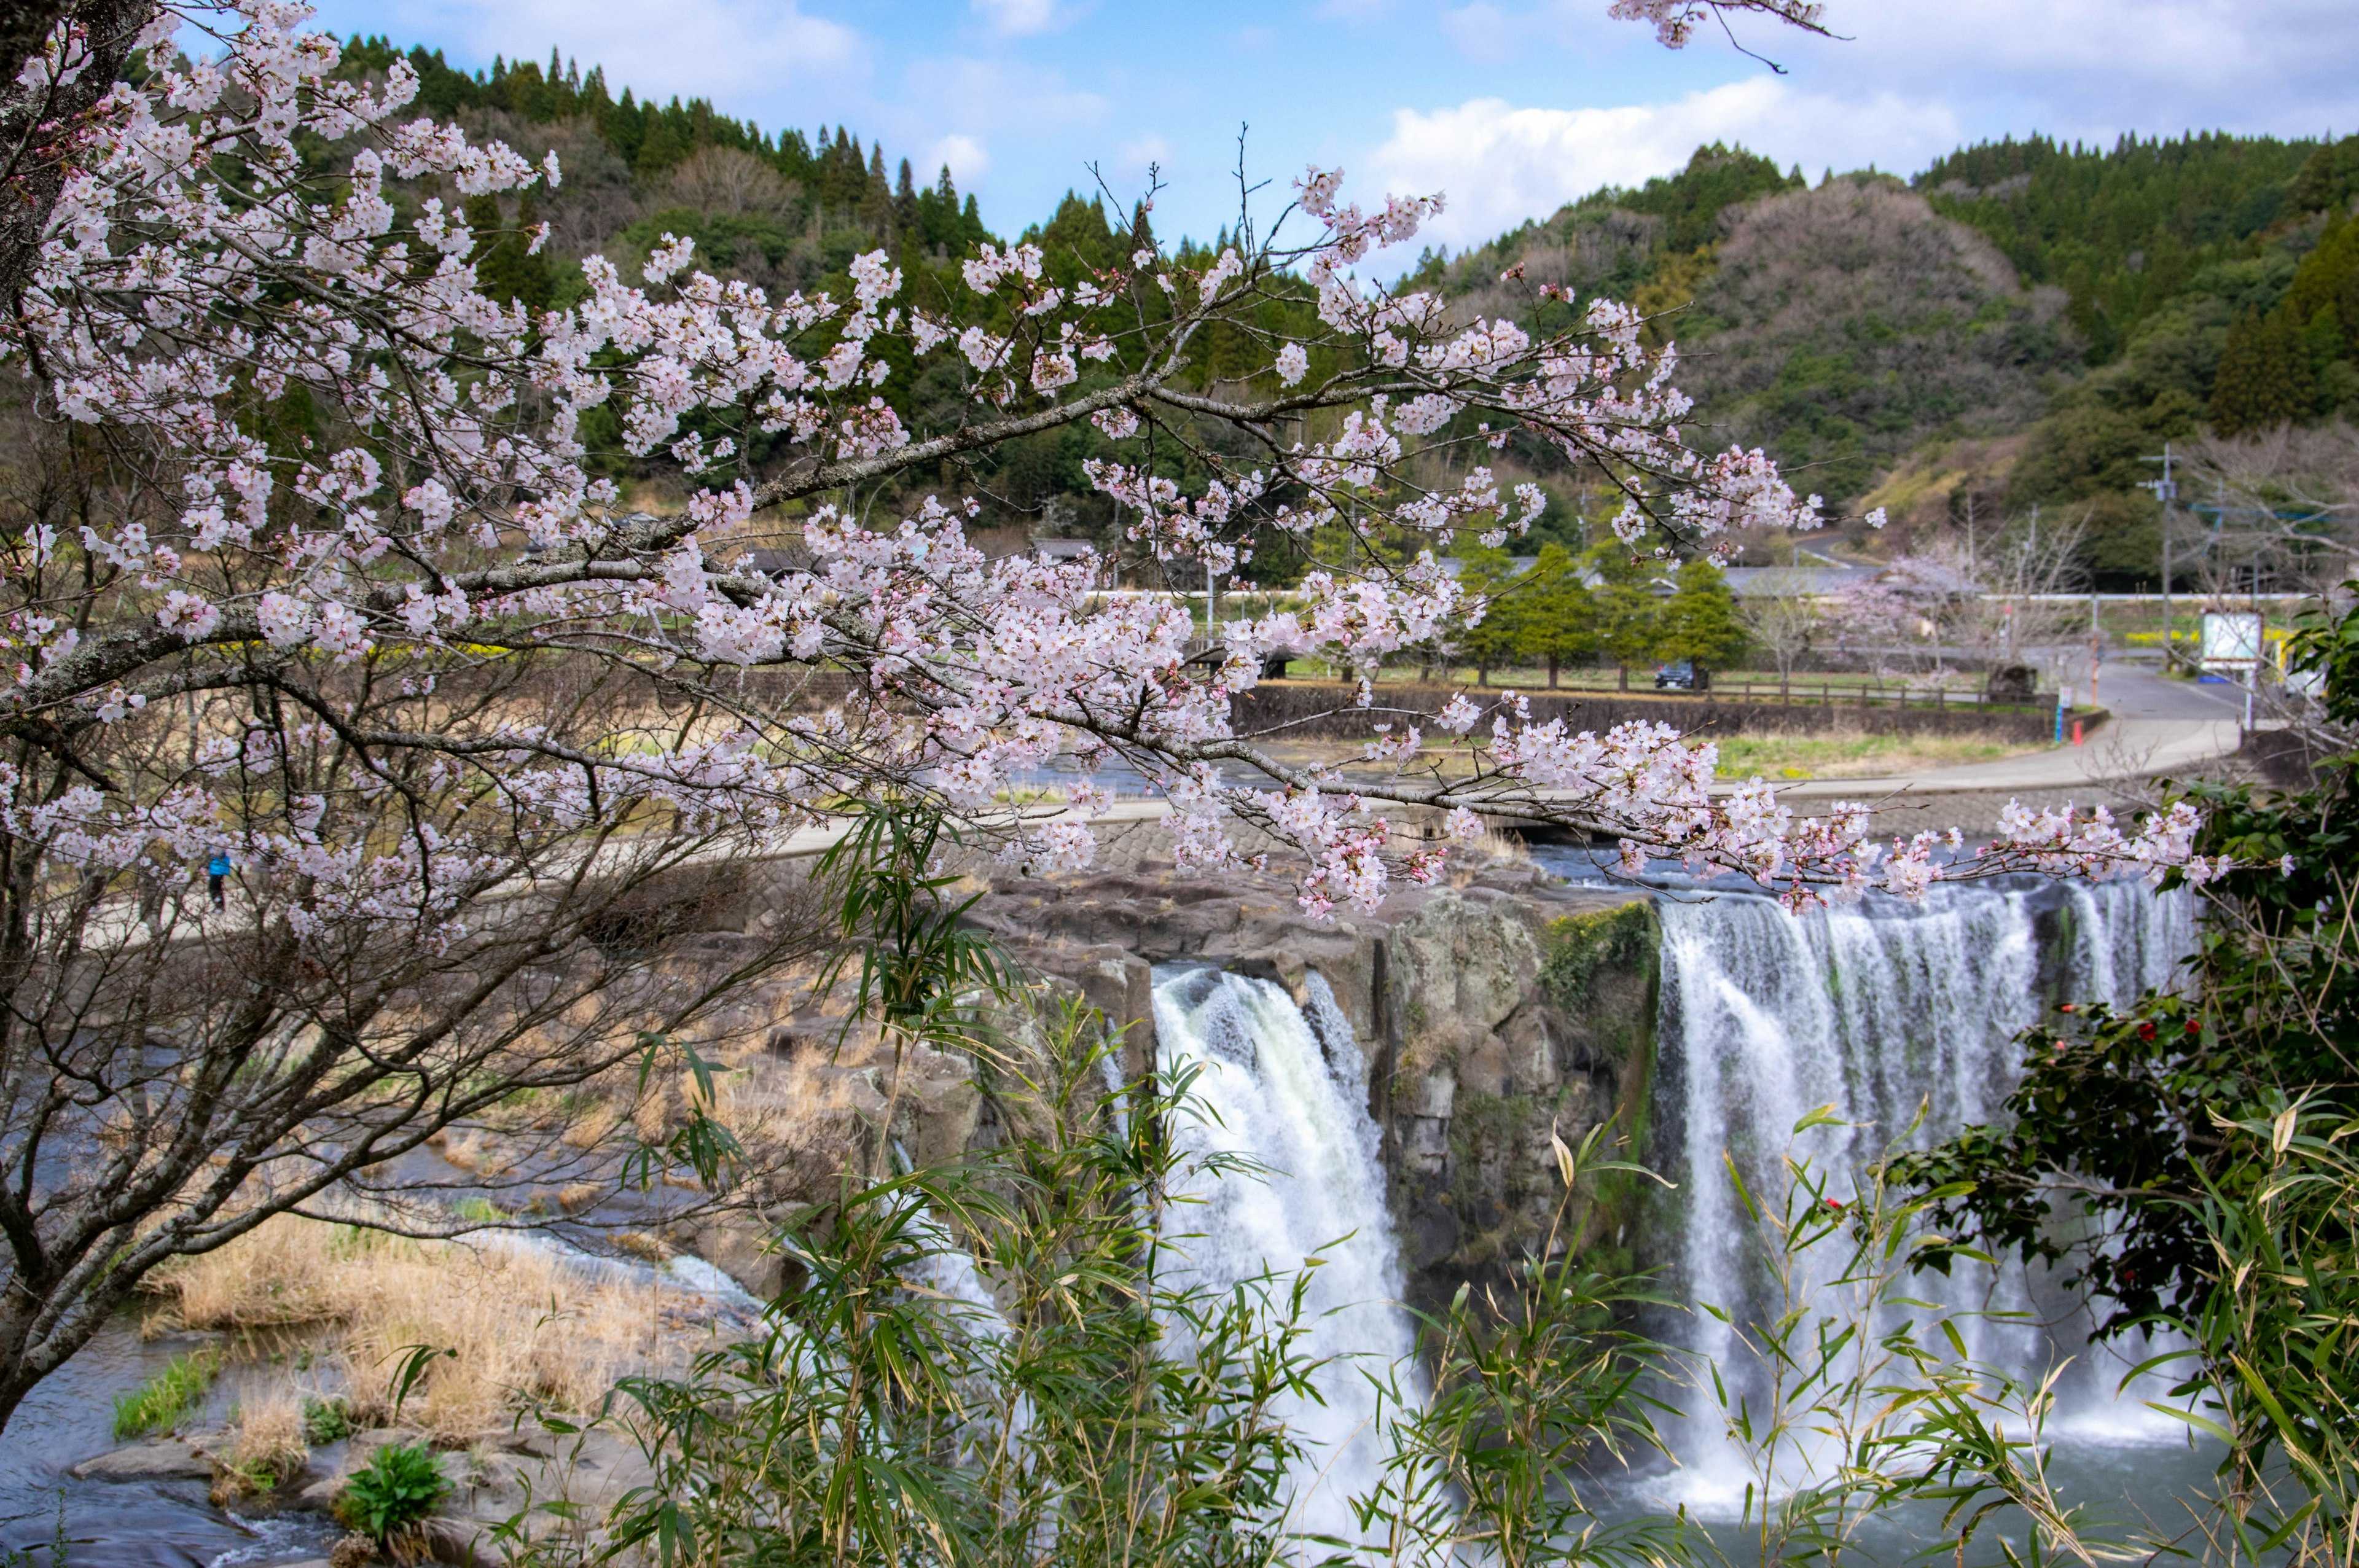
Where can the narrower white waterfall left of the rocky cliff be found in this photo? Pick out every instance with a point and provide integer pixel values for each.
(1284, 1088)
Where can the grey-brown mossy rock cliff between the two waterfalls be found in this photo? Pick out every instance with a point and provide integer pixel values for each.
(1492, 1017)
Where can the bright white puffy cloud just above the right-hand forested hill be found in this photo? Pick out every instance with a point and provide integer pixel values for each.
(1502, 164)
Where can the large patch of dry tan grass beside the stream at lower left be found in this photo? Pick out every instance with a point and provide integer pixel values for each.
(525, 1326)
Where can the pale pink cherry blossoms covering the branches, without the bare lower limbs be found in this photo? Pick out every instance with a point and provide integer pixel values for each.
(459, 515)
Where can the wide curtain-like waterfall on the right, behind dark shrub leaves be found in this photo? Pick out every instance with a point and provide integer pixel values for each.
(1874, 1010)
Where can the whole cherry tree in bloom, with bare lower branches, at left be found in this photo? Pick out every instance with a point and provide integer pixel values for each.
(334, 593)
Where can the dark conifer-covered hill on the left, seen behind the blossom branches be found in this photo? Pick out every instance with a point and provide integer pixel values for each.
(791, 213)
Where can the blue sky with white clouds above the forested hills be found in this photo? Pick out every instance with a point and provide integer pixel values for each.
(1511, 107)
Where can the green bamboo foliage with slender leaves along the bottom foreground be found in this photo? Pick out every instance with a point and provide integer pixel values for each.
(1100, 1406)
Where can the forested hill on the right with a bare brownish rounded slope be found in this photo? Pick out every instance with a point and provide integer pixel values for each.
(2020, 324)
